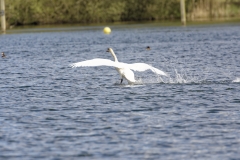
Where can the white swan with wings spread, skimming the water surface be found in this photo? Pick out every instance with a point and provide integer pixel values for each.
(123, 69)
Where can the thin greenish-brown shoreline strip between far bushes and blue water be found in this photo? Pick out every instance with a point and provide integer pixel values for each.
(123, 25)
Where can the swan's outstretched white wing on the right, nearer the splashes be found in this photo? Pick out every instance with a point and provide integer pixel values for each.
(140, 67)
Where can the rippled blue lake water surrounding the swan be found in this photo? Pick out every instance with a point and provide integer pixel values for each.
(49, 110)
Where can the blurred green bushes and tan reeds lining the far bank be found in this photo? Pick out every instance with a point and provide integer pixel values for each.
(21, 12)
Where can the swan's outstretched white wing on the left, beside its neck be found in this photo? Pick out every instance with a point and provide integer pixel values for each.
(94, 62)
